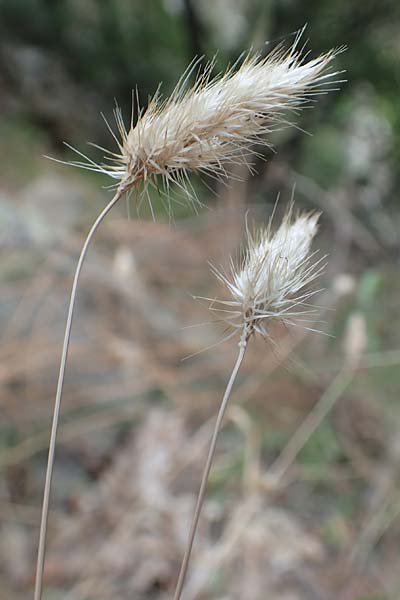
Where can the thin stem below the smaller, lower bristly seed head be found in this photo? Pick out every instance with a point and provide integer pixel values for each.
(207, 469)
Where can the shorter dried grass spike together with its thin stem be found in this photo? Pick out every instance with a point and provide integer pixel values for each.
(267, 285)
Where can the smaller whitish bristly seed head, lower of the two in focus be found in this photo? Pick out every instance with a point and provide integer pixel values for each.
(272, 281)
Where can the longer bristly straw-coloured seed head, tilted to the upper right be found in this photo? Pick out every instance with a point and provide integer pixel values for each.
(216, 121)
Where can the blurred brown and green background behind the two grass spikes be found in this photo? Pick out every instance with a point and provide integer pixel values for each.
(294, 514)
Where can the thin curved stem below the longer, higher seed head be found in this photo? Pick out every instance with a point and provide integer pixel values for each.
(57, 403)
